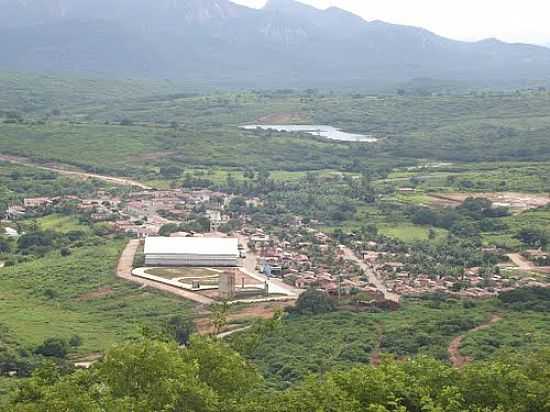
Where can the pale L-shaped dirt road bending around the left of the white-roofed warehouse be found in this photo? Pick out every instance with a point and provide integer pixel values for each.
(124, 271)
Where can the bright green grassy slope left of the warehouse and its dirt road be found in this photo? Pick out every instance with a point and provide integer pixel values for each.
(79, 294)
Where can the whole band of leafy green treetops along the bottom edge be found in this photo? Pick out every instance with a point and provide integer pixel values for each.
(208, 376)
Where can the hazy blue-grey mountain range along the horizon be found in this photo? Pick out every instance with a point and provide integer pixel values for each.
(217, 42)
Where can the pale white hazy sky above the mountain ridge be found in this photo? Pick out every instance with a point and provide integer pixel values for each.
(510, 20)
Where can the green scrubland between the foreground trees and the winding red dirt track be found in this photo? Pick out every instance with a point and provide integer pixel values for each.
(303, 344)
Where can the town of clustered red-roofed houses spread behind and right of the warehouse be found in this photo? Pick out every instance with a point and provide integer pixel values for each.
(300, 255)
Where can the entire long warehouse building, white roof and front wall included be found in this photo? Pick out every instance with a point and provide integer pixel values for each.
(191, 251)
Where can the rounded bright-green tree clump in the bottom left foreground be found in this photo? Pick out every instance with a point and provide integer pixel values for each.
(146, 376)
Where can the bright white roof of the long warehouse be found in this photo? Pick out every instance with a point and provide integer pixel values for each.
(191, 246)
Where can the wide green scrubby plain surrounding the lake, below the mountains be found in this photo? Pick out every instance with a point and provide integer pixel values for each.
(123, 135)
